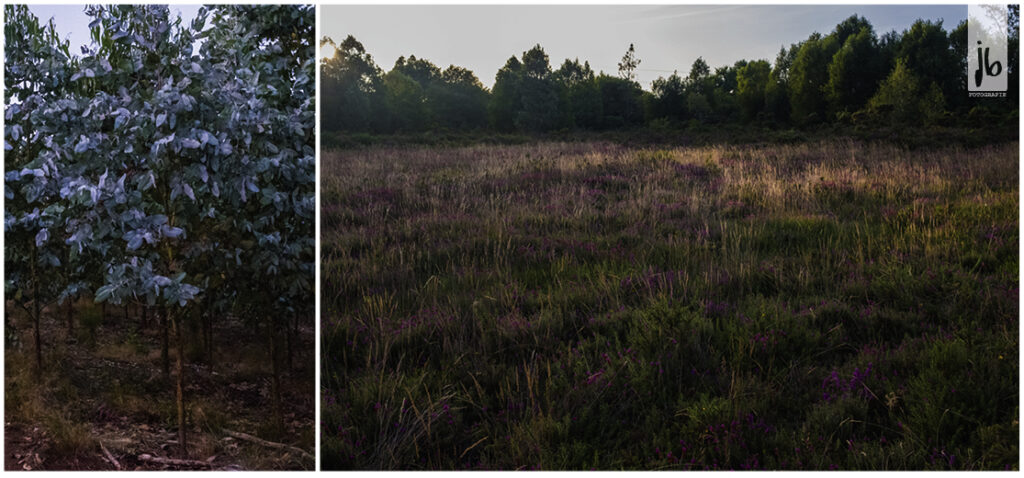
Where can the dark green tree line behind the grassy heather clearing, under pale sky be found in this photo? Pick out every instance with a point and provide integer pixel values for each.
(851, 75)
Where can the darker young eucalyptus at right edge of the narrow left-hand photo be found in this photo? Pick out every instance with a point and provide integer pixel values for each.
(274, 239)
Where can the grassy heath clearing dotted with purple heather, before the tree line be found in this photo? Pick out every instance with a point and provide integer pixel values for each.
(828, 306)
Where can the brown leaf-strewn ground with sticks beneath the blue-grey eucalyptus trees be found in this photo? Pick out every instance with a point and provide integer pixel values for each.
(106, 389)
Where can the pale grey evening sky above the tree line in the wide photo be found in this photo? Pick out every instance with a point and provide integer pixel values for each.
(667, 37)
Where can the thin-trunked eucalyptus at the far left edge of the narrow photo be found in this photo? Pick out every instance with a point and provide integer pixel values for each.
(38, 66)
